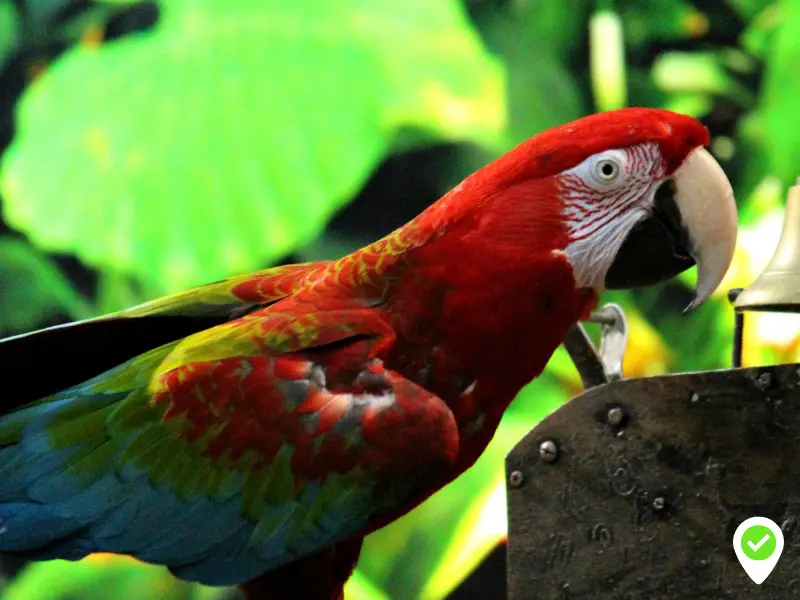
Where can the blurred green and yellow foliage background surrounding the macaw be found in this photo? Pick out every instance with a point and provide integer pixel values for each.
(153, 146)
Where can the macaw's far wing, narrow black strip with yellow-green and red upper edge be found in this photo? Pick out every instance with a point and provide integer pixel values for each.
(46, 362)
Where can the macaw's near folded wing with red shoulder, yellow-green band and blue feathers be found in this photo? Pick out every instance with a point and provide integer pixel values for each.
(234, 451)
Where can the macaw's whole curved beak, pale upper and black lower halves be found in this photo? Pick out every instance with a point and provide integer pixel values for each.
(693, 222)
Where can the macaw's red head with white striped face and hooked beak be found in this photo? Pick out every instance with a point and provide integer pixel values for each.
(630, 197)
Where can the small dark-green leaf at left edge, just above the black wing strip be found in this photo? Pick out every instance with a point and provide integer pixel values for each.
(33, 289)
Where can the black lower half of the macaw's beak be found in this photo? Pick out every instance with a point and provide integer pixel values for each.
(656, 249)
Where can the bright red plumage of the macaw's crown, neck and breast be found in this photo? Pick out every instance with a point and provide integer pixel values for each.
(475, 289)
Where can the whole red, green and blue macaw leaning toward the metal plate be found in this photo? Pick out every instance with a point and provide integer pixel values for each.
(254, 430)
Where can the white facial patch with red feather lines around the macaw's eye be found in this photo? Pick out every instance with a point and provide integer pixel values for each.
(604, 197)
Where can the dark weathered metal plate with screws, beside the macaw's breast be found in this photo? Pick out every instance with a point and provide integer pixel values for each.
(633, 490)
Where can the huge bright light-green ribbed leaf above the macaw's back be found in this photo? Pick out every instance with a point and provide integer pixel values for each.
(227, 135)
